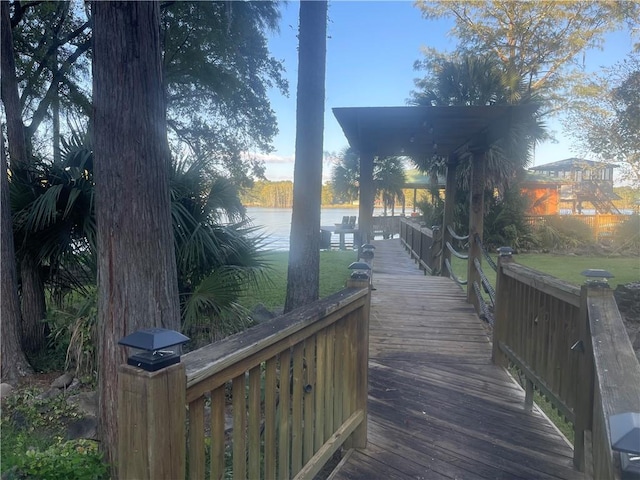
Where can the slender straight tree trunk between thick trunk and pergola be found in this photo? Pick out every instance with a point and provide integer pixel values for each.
(304, 251)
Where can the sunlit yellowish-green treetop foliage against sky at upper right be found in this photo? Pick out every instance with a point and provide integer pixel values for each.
(537, 42)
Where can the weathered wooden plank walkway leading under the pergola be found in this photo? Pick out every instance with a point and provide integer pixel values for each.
(438, 407)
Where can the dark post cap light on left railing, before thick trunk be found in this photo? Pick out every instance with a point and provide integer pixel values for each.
(154, 343)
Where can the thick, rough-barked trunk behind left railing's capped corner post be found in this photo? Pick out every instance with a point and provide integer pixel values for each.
(137, 276)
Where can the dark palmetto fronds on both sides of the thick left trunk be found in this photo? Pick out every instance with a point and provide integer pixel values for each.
(217, 252)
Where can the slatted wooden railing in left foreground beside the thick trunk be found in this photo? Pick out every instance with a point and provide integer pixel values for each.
(275, 401)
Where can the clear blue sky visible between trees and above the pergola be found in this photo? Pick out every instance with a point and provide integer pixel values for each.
(371, 49)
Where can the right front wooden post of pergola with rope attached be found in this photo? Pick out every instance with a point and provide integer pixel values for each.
(476, 220)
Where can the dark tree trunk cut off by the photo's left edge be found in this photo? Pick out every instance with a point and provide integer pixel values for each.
(14, 362)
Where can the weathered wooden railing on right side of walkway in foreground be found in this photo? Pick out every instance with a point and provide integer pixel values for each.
(571, 346)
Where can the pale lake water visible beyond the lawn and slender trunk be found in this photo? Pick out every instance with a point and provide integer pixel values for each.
(276, 223)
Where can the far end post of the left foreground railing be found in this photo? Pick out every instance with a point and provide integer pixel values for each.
(359, 436)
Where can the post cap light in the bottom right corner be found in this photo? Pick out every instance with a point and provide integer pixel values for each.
(624, 430)
